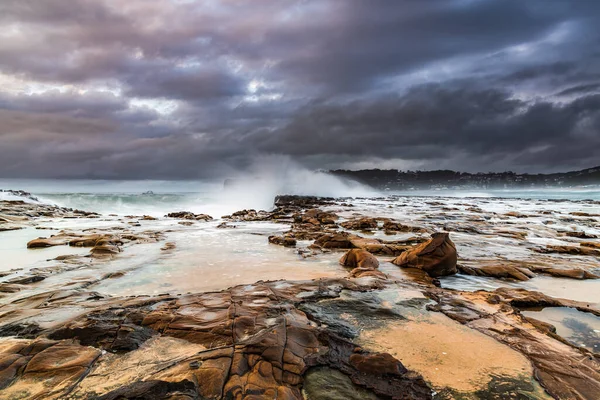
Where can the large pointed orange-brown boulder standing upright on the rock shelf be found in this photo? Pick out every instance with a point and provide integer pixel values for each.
(437, 256)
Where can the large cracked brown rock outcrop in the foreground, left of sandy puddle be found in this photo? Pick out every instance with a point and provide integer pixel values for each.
(247, 342)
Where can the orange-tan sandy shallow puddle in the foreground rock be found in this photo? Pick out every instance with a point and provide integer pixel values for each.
(451, 357)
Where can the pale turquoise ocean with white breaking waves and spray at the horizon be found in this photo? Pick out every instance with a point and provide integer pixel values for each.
(156, 197)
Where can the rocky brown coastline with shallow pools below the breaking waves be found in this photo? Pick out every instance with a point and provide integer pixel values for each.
(268, 335)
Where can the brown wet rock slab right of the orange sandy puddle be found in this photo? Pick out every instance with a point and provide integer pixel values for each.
(564, 371)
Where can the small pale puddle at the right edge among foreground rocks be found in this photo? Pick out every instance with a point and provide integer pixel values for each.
(581, 329)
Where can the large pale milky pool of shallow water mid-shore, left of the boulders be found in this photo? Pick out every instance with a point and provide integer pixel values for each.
(214, 259)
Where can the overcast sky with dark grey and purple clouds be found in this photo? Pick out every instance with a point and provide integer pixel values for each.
(182, 89)
